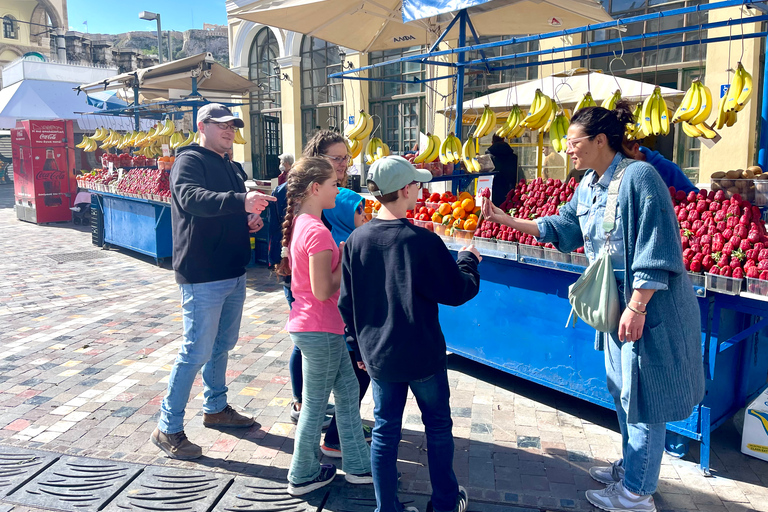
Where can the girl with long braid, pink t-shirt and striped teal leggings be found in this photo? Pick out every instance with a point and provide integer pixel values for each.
(311, 258)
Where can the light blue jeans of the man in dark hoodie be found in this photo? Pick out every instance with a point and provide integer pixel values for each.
(211, 317)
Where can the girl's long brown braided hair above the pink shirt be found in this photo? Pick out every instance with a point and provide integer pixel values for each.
(307, 171)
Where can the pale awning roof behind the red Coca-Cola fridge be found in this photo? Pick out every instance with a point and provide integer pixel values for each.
(46, 100)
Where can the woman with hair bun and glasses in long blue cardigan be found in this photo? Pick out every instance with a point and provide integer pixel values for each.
(653, 361)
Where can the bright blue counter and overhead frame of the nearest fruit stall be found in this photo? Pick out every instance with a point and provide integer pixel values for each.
(516, 323)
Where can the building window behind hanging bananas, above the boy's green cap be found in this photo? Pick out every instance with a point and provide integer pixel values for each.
(398, 108)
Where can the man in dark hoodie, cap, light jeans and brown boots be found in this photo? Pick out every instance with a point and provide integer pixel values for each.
(210, 220)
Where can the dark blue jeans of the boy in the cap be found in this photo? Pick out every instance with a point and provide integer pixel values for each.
(433, 395)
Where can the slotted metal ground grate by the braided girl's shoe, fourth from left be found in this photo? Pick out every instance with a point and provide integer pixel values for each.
(260, 495)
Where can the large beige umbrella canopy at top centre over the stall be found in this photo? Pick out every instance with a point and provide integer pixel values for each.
(372, 25)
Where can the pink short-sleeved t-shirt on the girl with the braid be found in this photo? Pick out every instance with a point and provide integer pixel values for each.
(310, 236)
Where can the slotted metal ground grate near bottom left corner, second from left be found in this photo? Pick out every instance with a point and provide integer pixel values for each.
(76, 483)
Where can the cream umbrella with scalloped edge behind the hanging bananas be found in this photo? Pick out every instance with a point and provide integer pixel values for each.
(567, 88)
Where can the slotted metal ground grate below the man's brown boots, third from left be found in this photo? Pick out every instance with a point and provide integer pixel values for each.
(171, 489)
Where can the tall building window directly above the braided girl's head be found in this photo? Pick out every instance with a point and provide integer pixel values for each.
(321, 97)
